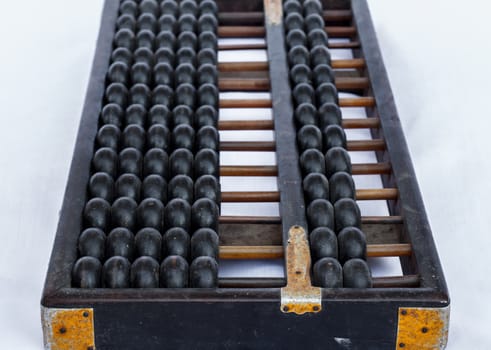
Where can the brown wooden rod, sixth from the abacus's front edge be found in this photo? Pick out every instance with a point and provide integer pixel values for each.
(270, 146)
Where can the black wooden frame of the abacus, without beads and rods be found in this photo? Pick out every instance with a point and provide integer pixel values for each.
(235, 317)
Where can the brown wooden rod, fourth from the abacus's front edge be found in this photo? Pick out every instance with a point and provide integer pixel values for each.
(274, 196)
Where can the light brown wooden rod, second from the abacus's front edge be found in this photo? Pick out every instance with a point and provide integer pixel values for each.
(277, 251)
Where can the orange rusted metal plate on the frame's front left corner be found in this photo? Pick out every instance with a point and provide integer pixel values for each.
(65, 329)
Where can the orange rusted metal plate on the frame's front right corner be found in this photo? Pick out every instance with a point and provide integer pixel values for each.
(422, 328)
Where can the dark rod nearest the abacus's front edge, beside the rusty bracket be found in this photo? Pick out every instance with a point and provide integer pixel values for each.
(408, 281)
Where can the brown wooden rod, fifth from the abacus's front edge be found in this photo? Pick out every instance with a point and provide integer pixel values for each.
(272, 170)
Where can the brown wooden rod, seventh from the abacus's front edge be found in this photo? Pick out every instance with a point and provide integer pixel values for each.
(358, 123)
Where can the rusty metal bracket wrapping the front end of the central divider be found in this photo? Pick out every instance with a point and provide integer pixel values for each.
(299, 296)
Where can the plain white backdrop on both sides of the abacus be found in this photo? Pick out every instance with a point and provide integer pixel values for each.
(437, 56)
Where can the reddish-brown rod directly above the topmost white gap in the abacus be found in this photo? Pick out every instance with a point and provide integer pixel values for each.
(259, 31)
